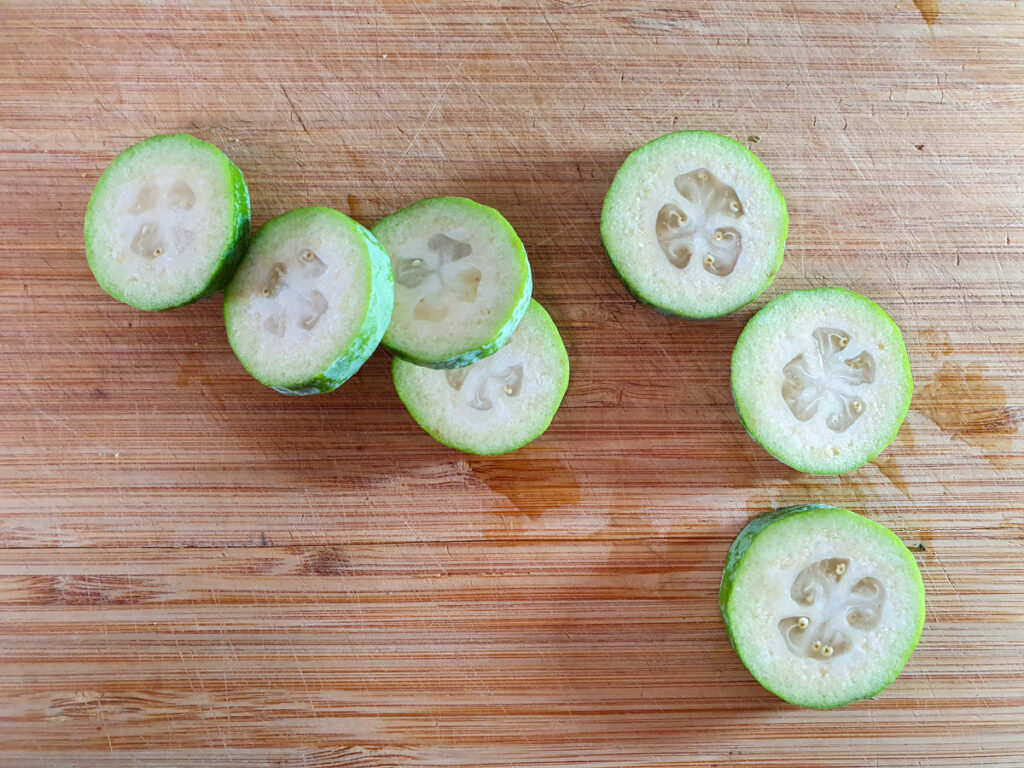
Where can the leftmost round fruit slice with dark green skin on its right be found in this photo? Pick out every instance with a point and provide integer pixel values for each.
(167, 223)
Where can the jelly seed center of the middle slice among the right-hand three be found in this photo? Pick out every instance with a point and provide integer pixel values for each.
(829, 380)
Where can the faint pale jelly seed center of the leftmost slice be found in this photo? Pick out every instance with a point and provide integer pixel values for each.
(162, 220)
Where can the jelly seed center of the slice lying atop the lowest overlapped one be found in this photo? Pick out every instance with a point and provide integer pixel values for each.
(442, 278)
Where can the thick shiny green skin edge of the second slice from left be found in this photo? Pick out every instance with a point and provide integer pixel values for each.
(374, 324)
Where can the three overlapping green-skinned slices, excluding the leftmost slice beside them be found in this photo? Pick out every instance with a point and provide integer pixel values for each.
(444, 284)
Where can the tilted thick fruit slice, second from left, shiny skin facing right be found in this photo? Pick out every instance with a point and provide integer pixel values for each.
(311, 302)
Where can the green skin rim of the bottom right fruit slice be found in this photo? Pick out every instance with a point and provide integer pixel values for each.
(735, 565)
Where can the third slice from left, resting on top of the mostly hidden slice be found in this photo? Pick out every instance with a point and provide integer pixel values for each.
(462, 281)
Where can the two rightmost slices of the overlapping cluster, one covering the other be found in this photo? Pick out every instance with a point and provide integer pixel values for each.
(479, 364)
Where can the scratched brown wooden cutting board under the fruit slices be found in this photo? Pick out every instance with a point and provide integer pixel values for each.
(197, 572)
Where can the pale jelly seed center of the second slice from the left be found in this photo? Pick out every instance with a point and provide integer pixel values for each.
(290, 297)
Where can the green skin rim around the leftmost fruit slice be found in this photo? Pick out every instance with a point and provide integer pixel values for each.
(229, 261)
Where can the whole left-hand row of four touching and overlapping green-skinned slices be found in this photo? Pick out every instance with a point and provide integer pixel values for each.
(445, 284)
